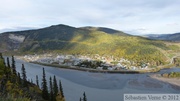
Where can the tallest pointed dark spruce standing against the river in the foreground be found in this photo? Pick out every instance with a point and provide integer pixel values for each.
(45, 94)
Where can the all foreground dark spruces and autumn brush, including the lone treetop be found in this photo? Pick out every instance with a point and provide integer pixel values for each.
(15, 86)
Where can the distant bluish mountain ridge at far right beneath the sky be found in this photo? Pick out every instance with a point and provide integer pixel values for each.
(168, 37)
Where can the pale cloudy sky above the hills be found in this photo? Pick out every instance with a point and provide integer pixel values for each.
(132, 16)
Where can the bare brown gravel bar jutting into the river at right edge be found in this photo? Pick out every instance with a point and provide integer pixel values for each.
(173, 81)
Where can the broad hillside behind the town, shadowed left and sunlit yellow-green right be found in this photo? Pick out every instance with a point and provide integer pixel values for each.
(88, 40)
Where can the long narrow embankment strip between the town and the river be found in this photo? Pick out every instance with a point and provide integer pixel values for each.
(125, 71)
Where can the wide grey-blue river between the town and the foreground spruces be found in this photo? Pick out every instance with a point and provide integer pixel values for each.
(99, 86)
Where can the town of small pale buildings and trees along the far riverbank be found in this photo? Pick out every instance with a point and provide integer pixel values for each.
(86, 61)
